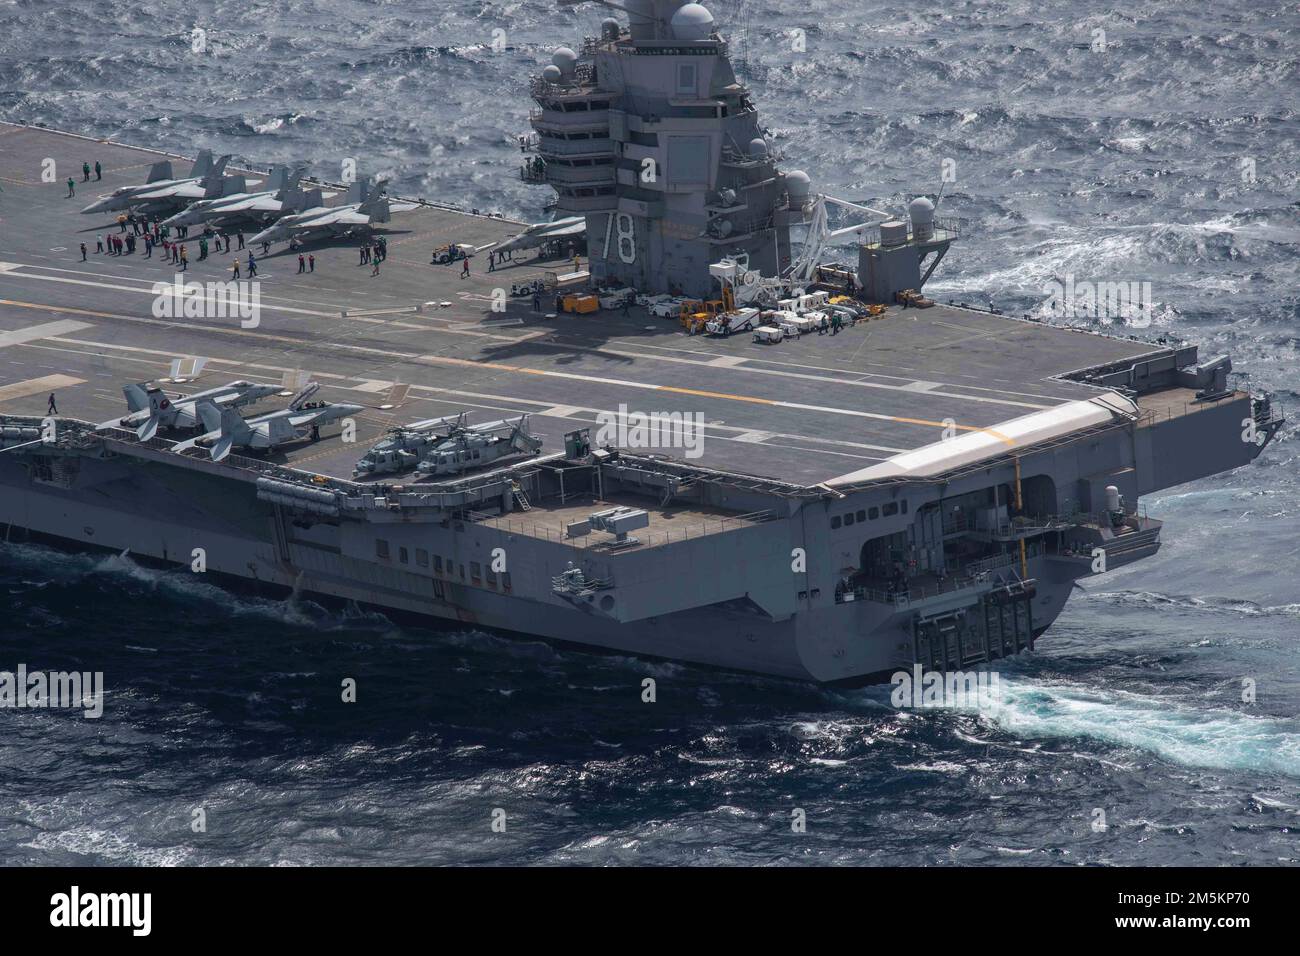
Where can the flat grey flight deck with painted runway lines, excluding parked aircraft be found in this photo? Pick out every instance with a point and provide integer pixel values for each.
(801, 412)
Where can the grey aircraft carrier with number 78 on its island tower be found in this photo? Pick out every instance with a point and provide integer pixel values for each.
(921, 487)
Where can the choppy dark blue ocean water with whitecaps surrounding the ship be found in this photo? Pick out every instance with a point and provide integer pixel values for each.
(1169, 158)
